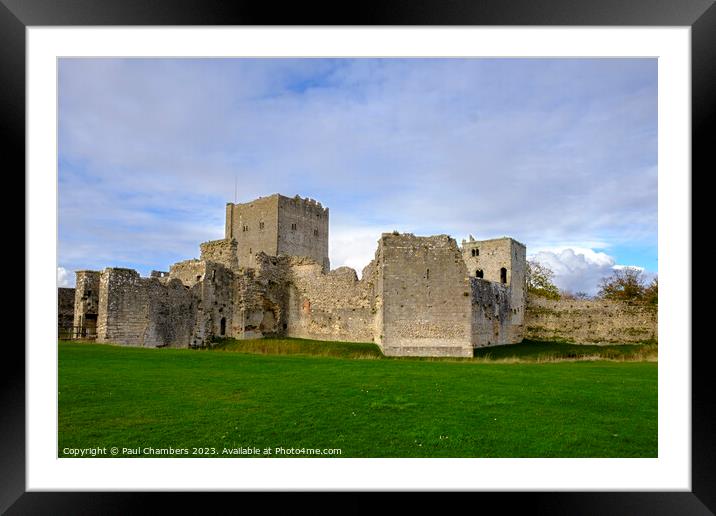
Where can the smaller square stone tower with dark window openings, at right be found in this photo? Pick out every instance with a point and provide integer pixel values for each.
(501, 260)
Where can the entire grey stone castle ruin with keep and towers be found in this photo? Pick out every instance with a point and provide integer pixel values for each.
(270, 275)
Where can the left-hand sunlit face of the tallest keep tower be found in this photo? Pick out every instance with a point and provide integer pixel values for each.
(254, 225)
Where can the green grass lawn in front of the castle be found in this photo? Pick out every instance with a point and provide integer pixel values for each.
(340, 395)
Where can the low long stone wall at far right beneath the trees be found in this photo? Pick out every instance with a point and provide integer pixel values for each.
(589, 321)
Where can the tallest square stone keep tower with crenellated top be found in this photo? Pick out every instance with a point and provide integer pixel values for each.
(279, 225)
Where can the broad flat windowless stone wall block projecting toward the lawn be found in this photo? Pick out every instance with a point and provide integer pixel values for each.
(426, 297)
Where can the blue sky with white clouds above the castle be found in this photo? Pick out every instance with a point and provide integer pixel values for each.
(560, 154)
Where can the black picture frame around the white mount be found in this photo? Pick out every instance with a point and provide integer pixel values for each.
(700, 15)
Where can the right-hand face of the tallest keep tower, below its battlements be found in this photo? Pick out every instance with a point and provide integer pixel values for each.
(303, 229)
